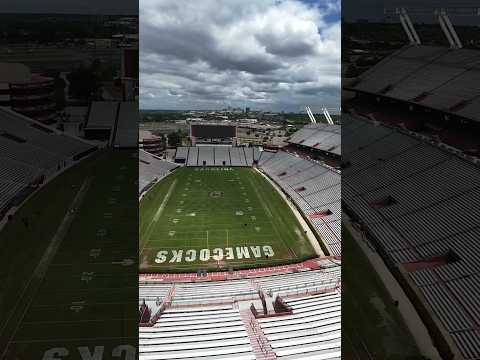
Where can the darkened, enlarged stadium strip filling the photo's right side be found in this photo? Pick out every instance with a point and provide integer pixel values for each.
(410, 158)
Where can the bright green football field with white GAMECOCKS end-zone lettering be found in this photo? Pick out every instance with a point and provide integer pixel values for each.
(217, 218)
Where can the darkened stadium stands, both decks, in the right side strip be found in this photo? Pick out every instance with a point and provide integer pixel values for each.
(410, 185)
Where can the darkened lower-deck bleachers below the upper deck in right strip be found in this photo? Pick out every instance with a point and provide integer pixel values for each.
(419, 201)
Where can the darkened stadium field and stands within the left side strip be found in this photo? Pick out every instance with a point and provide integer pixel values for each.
(66, 265)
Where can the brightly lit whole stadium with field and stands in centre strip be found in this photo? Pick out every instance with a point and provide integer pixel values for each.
(240, 248)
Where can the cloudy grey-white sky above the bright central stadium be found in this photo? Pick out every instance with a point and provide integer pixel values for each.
(265, 54)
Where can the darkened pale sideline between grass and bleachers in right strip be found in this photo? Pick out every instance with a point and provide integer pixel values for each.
(406, 309)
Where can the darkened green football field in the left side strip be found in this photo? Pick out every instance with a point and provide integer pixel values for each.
(70, 291)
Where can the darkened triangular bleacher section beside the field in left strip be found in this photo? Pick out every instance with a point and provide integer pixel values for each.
(29, 150)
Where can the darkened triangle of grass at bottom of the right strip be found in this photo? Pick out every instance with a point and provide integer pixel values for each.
(372, 327)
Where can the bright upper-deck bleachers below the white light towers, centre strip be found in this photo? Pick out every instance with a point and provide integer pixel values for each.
(326, 137)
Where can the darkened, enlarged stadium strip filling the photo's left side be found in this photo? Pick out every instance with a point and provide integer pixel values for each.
(68, 179)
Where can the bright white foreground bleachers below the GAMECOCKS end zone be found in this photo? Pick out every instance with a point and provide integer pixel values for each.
(198, 326)
